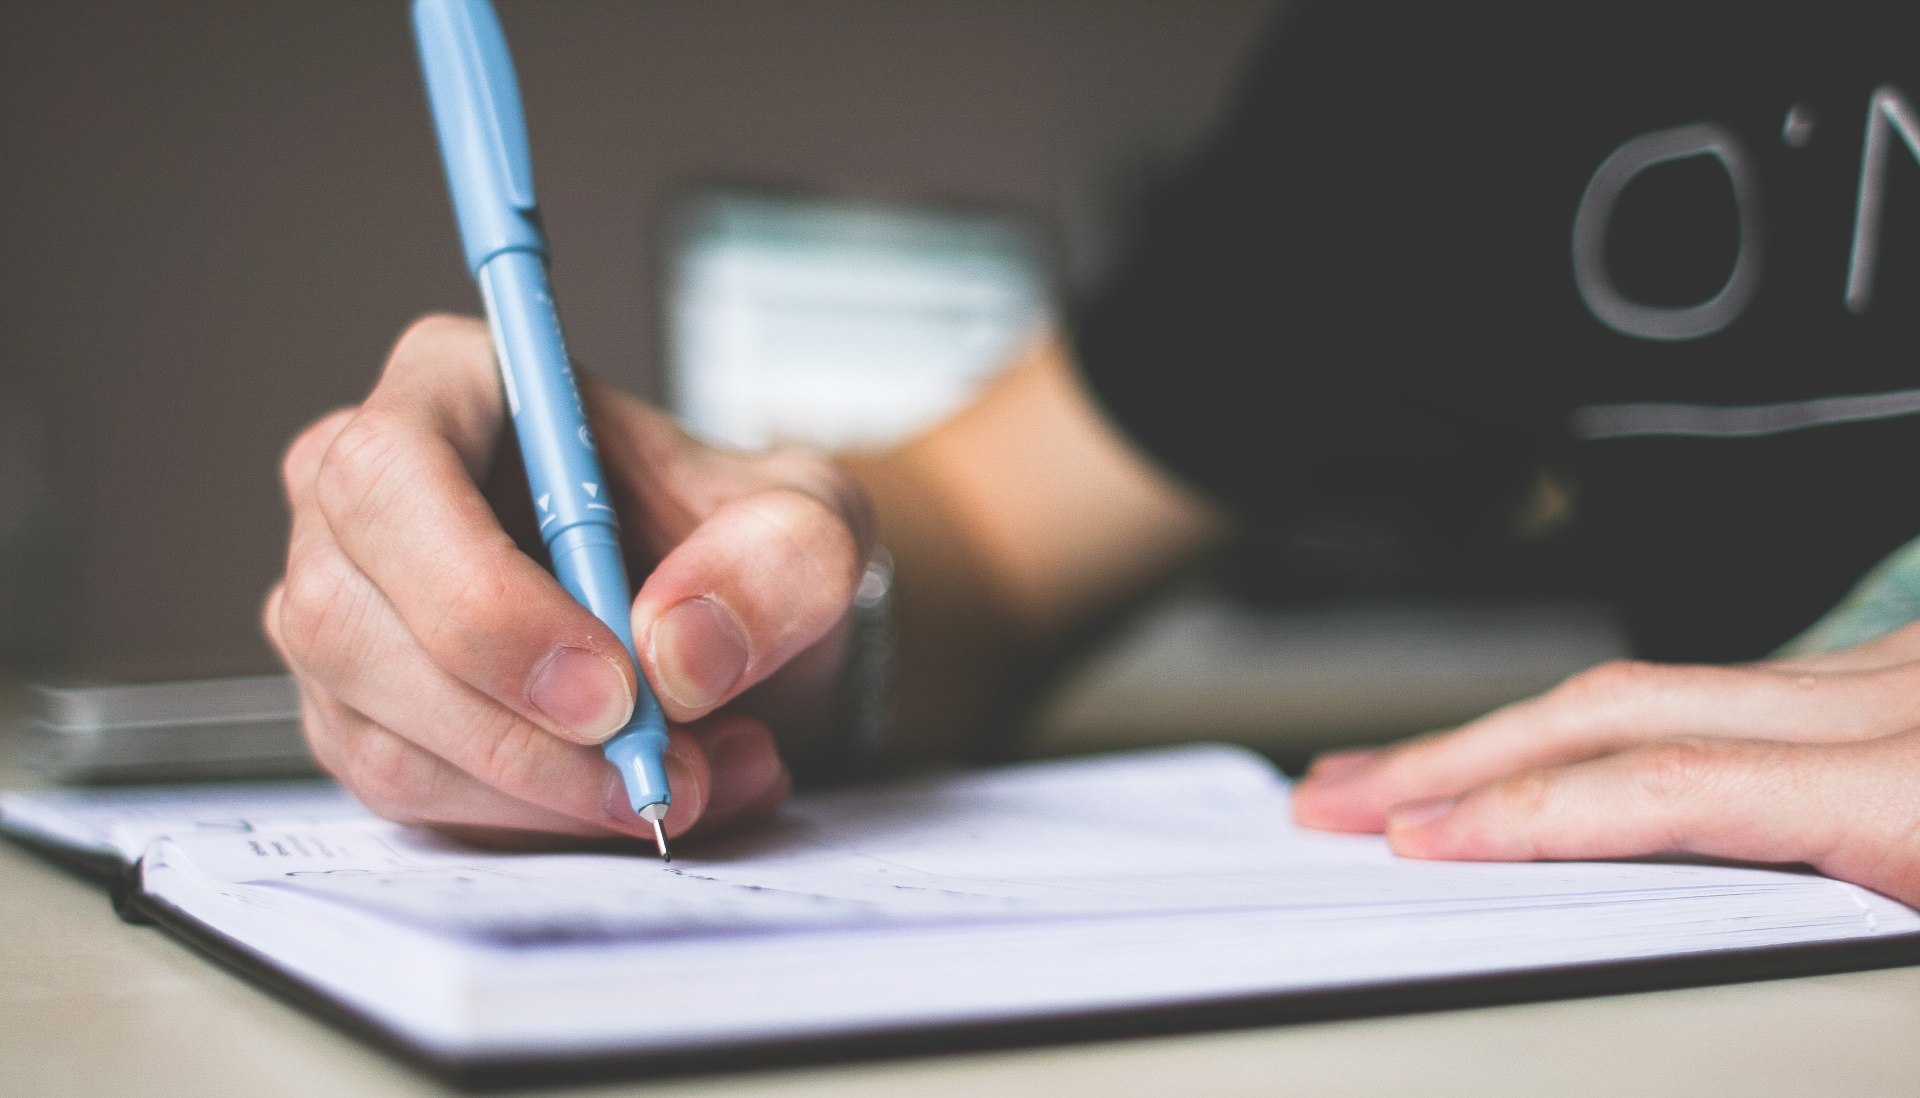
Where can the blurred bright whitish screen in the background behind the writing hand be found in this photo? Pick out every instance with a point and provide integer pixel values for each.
(840, 323)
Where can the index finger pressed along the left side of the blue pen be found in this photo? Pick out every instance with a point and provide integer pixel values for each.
(398, 492)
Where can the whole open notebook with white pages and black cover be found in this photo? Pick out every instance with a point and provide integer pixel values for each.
(997, 903)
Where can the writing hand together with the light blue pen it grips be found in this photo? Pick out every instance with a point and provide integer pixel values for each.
(757, 556)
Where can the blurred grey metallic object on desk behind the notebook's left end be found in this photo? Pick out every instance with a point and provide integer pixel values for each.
(203, 730)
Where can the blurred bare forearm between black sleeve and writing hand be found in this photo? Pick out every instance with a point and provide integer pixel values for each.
(1013, 527)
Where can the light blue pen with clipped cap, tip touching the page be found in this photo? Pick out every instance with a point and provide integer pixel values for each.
(483, 139)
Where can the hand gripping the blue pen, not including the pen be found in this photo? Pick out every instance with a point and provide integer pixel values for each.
(448, 679)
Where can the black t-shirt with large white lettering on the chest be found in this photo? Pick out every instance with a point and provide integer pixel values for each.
(1443, 247)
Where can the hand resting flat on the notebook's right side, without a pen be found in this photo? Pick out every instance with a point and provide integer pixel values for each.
(1810, 761)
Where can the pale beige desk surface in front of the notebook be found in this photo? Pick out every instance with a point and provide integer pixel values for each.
(95, 1007)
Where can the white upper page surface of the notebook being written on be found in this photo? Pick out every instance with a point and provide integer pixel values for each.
(1184, 830)
